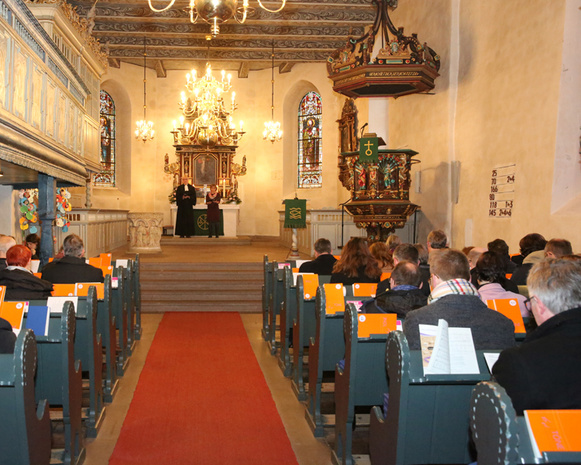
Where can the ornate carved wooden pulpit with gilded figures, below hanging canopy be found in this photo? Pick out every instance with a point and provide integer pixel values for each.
(379, 189)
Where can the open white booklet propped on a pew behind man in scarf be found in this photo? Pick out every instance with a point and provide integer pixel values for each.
(447, 351)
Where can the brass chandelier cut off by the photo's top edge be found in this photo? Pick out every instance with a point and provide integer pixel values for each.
(216, 12)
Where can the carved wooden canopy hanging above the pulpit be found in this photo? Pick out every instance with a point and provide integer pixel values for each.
(403, 65)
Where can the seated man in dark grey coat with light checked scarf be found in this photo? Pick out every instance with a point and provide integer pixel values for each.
(455, 300)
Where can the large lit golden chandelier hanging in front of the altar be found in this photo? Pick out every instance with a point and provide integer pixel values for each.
(206, 118)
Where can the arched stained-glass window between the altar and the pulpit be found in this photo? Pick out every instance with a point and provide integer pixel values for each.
(310, 146)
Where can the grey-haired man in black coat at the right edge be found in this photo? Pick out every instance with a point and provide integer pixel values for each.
(543, 372)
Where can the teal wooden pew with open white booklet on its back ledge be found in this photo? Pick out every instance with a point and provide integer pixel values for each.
(427, 415)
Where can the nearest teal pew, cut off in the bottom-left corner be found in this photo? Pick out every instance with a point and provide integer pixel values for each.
(25, 429)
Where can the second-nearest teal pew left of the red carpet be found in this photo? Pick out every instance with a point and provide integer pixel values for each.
(59, 379)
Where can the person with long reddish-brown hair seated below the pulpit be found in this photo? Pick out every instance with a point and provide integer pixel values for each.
(356, 264)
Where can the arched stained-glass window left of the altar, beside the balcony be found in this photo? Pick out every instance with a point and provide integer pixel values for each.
(107, 122)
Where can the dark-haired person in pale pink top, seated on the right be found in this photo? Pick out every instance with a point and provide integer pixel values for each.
(489, 272)
